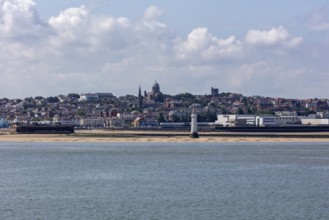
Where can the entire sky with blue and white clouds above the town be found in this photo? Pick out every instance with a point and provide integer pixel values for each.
(255, 47)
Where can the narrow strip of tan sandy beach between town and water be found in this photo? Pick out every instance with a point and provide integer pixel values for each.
(162, 137)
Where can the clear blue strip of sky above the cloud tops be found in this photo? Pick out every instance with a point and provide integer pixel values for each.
(219, 16)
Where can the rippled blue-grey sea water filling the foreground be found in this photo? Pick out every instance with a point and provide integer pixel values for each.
(164, 181)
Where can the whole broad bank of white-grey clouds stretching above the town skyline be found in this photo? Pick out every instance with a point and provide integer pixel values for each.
(81, 51)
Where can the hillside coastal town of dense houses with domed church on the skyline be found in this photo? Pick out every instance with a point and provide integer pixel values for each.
(153, 108)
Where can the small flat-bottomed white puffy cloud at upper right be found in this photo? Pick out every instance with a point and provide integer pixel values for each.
(274, 37)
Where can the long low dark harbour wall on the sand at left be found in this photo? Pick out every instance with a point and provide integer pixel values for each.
(56, 129)
